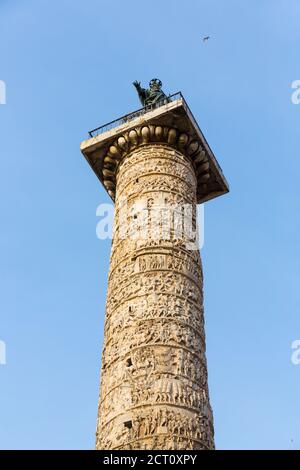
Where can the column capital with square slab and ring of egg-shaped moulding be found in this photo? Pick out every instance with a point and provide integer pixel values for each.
(173, 125)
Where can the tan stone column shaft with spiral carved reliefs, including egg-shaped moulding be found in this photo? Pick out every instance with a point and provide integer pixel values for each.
(154, 392)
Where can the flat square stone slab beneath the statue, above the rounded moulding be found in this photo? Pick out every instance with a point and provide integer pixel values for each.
(175, 115)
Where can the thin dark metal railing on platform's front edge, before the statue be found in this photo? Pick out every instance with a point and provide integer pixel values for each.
(135, 114)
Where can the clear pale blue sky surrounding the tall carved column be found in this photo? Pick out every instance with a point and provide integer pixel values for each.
(68, 67)
